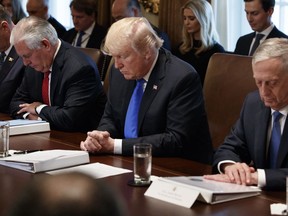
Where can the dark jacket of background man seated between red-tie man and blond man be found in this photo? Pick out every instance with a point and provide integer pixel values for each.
(95, 40)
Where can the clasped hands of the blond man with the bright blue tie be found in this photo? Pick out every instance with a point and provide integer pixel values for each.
(98, 141)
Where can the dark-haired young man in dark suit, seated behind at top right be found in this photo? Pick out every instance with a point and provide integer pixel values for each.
(258, 13)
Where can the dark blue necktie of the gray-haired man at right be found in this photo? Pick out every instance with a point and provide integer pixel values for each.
(275, 139)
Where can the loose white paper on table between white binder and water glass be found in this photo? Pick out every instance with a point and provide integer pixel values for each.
(96, 170)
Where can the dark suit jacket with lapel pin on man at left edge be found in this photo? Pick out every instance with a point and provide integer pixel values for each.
(11, 76)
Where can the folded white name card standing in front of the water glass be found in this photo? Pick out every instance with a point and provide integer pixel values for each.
(172, 192)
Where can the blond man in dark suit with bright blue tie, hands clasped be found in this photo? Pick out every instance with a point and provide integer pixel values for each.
(171, 116)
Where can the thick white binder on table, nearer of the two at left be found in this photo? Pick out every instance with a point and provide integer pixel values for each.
(41, 161)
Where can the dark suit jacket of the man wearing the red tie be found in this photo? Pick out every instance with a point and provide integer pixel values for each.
(76, 93)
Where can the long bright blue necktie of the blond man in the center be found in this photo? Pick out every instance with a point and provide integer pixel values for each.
(131, 121)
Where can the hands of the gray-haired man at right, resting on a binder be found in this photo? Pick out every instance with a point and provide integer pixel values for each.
(239, 173)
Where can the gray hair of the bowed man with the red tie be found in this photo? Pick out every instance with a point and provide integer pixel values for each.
(33, 30)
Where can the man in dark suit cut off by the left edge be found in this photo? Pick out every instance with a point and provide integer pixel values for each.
(12, 68)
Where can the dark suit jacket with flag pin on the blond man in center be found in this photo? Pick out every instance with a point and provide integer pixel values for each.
(172, 116)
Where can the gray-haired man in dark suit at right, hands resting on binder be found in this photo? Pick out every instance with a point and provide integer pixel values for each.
(246, 157)
